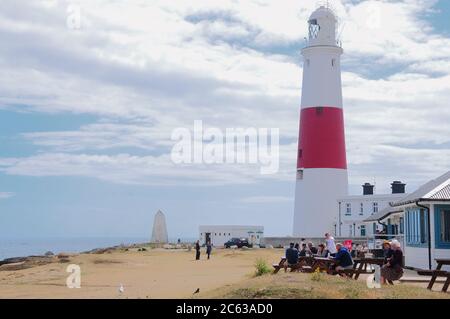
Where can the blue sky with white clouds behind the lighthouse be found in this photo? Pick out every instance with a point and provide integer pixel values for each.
(91, 91)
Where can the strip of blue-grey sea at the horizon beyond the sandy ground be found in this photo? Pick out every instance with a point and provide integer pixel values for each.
(22, 247)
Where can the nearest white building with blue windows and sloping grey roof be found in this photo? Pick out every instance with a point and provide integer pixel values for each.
(425, 219)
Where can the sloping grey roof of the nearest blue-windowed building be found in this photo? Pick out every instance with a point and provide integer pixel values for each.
(435, 190)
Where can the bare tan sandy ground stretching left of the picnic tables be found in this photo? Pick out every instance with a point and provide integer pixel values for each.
(156, 273)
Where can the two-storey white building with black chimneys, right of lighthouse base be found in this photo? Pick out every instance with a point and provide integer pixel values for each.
(355, 210)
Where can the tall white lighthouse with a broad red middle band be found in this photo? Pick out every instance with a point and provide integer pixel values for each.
(321, 158)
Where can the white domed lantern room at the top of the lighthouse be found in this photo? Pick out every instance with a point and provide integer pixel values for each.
(322, 27)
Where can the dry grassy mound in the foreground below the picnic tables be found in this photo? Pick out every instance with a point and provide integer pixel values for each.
(303, 286)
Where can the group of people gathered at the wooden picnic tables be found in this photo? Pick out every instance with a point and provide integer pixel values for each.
(390, 271)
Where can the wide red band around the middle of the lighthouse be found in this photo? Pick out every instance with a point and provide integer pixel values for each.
(322, 138)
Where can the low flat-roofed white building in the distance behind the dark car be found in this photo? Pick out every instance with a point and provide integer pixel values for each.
(220, 234)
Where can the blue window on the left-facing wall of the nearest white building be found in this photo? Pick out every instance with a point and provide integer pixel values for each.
(416, 227)
